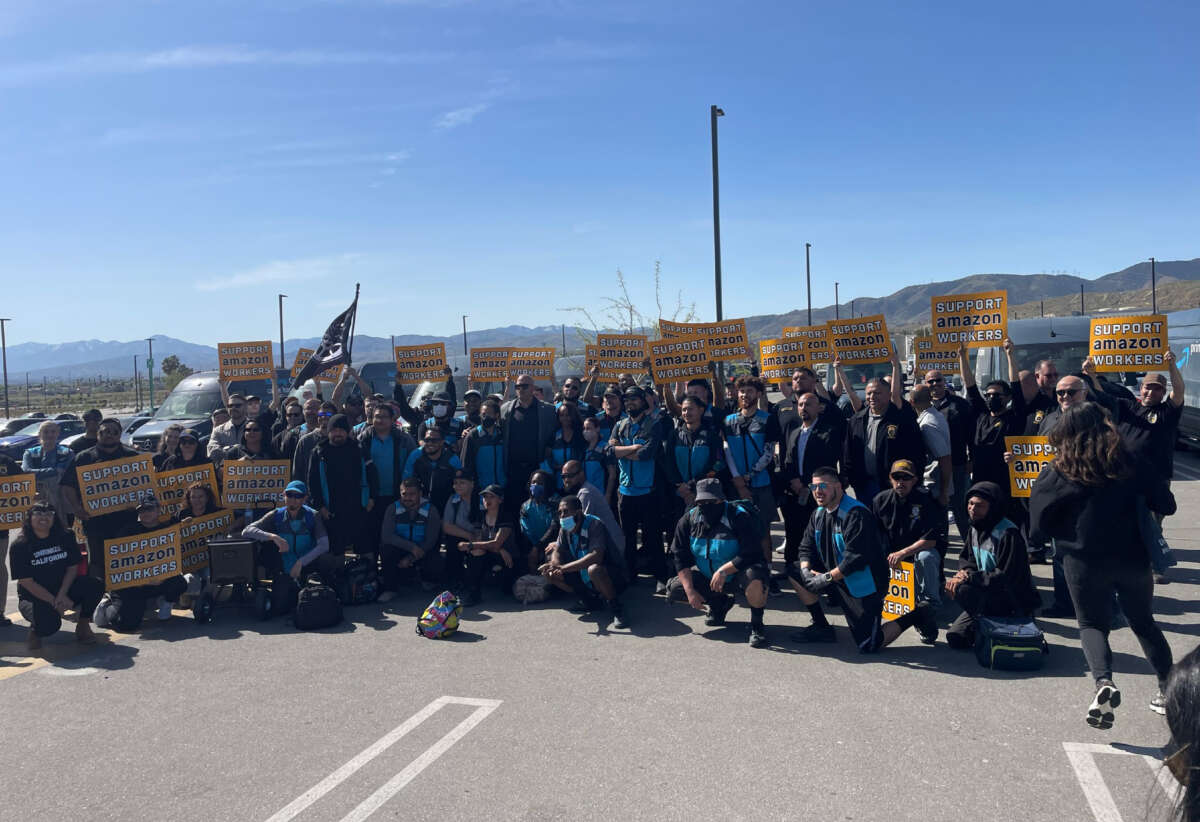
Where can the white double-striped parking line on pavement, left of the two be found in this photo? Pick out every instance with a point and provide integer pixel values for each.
(484, 707)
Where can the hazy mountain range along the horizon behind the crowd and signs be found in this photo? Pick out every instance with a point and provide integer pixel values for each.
(907, 309)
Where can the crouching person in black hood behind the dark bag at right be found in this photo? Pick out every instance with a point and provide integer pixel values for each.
(994, 577)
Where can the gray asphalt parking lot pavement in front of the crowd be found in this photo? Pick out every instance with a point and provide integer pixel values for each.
(242, 721)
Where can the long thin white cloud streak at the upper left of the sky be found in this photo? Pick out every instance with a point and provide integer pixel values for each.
(203, 57)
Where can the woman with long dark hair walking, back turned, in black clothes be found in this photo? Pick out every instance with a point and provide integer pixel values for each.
(1091, 502)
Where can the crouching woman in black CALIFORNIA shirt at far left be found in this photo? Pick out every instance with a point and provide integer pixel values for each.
(45, 560)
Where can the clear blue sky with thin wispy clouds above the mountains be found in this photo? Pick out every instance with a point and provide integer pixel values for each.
(170, 167)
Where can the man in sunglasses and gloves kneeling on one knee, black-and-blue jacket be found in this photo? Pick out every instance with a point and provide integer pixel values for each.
(844, 554)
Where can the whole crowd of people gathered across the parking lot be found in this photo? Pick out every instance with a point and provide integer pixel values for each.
(599, 484)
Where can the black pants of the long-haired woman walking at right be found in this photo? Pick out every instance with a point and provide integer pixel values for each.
(1093, 581)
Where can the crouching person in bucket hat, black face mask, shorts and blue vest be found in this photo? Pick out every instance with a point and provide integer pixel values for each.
(718, 543)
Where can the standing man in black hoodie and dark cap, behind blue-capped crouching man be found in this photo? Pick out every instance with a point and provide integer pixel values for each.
(340, 485)
